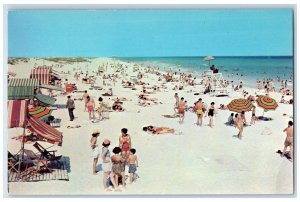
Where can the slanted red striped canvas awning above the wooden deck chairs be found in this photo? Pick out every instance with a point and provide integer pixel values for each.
(45, 131)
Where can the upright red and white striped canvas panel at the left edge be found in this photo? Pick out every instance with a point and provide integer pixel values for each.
(17, 111)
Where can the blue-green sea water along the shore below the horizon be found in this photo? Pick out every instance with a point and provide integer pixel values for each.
(251, 68)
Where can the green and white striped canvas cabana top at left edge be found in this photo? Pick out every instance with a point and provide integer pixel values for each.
(21, 89)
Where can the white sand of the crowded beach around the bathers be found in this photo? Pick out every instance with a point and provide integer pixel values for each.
(193, 160)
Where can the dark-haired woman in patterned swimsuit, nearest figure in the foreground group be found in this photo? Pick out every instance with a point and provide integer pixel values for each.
(118, 167)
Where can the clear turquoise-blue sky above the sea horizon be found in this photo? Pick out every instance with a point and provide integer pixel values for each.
(150, 33)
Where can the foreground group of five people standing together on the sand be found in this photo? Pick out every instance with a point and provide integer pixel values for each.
(113, 165)
